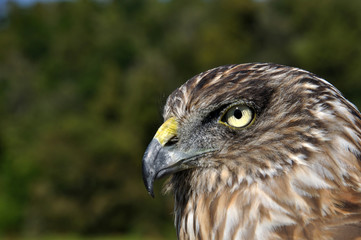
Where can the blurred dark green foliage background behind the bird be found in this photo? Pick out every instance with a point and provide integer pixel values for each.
(82, 85)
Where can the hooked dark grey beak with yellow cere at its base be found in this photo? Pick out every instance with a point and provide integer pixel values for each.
(160, 160)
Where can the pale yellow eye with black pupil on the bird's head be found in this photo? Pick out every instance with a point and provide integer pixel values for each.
(238, 116)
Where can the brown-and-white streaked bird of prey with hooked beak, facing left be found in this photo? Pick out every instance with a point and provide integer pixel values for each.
(259, 151)
